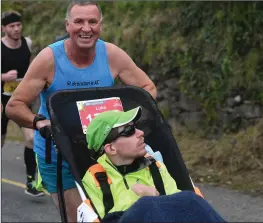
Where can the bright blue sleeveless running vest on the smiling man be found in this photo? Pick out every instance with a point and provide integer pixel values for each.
(67, 76)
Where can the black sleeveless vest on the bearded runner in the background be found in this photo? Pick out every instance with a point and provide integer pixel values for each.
(14, 59)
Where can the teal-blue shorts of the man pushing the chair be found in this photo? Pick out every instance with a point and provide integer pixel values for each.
(48, 173)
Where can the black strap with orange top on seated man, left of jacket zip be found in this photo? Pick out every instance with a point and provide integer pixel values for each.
(103, 181)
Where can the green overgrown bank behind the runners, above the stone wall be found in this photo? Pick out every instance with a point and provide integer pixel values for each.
(214, 48)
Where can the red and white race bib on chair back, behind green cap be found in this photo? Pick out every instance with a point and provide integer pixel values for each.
(89, 109)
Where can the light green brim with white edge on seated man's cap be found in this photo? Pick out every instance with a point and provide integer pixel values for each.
(129, 116)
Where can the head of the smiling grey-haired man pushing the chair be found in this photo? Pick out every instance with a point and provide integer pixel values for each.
(84, 25)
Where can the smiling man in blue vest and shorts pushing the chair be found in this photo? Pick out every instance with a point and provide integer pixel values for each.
(80, 61)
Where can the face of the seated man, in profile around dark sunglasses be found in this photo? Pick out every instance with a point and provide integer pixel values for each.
(130, 147)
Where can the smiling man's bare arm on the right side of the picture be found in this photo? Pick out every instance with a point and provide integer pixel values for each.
(122, 66)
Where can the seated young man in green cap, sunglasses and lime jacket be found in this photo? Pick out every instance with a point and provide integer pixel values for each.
(121, 150)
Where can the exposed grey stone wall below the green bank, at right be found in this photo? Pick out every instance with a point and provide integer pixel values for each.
(180, 110)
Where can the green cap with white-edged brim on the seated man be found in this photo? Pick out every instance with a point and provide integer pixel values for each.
(100, 127)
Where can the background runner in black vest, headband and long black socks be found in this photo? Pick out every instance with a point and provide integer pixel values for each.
(16, 53)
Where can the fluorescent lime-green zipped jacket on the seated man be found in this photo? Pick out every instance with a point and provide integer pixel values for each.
(123, 196)
